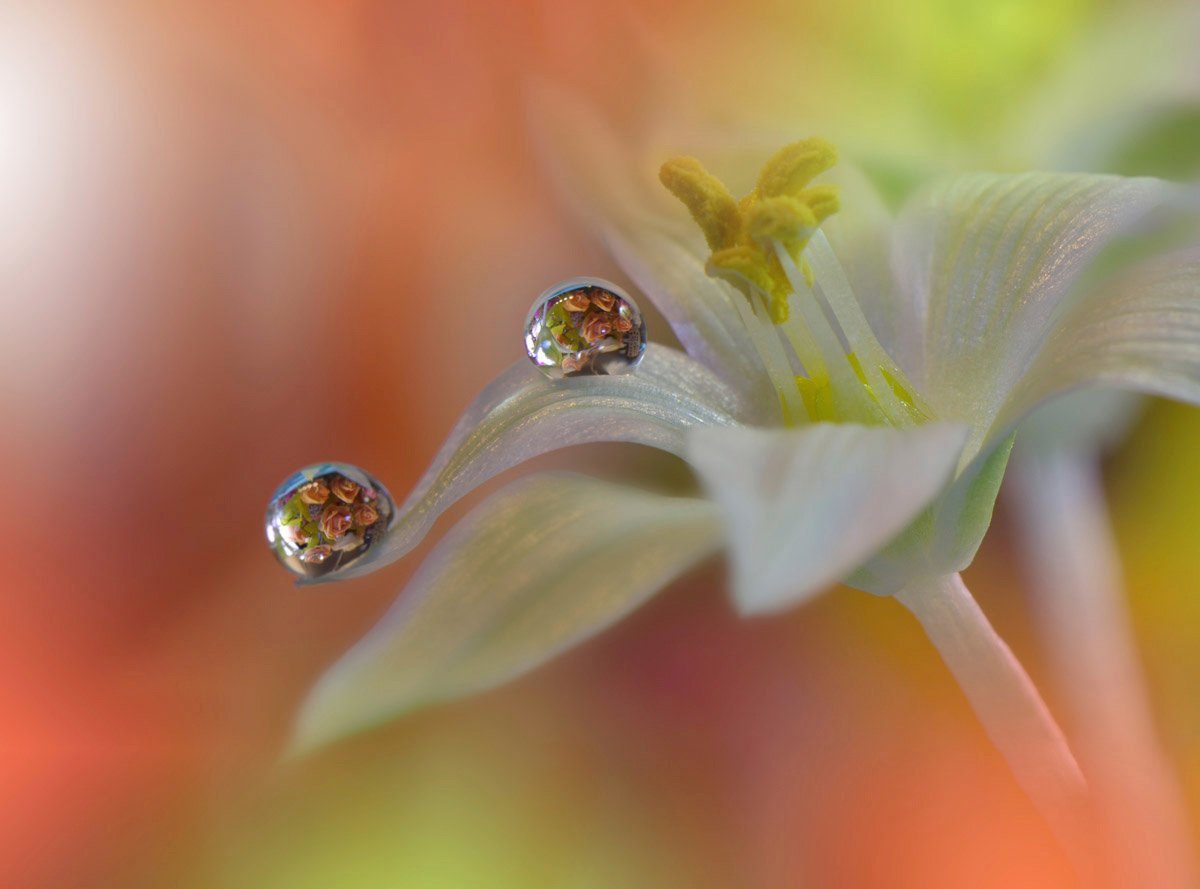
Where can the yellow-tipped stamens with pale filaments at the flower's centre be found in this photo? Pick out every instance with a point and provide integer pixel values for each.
(800, 310)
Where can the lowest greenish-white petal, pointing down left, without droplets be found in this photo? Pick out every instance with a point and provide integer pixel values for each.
(543, 564)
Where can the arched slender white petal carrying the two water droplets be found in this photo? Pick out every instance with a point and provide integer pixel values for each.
(523, 415)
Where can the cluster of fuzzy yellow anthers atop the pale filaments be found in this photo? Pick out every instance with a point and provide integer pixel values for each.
(783, 209)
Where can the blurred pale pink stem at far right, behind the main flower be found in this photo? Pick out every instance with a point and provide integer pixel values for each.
(1084, 628)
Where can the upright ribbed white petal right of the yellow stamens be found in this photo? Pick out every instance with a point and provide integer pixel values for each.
(986, 262)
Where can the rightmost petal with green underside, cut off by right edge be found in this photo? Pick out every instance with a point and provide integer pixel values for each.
(1139, 333)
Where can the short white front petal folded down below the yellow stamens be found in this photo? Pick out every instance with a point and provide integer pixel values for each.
(805, 508)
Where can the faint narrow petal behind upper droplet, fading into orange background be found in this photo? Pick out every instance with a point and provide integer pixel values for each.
(615, 194)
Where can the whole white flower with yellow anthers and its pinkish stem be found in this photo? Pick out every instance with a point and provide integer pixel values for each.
(925, 343)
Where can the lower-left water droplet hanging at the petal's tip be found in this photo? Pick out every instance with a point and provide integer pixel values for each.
(327, 518)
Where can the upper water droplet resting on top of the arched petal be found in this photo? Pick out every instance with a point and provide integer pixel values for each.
(585, 327)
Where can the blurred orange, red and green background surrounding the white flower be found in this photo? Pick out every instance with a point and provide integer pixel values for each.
(241, 238)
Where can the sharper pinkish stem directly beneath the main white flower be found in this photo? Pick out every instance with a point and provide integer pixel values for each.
(1005, 700)
